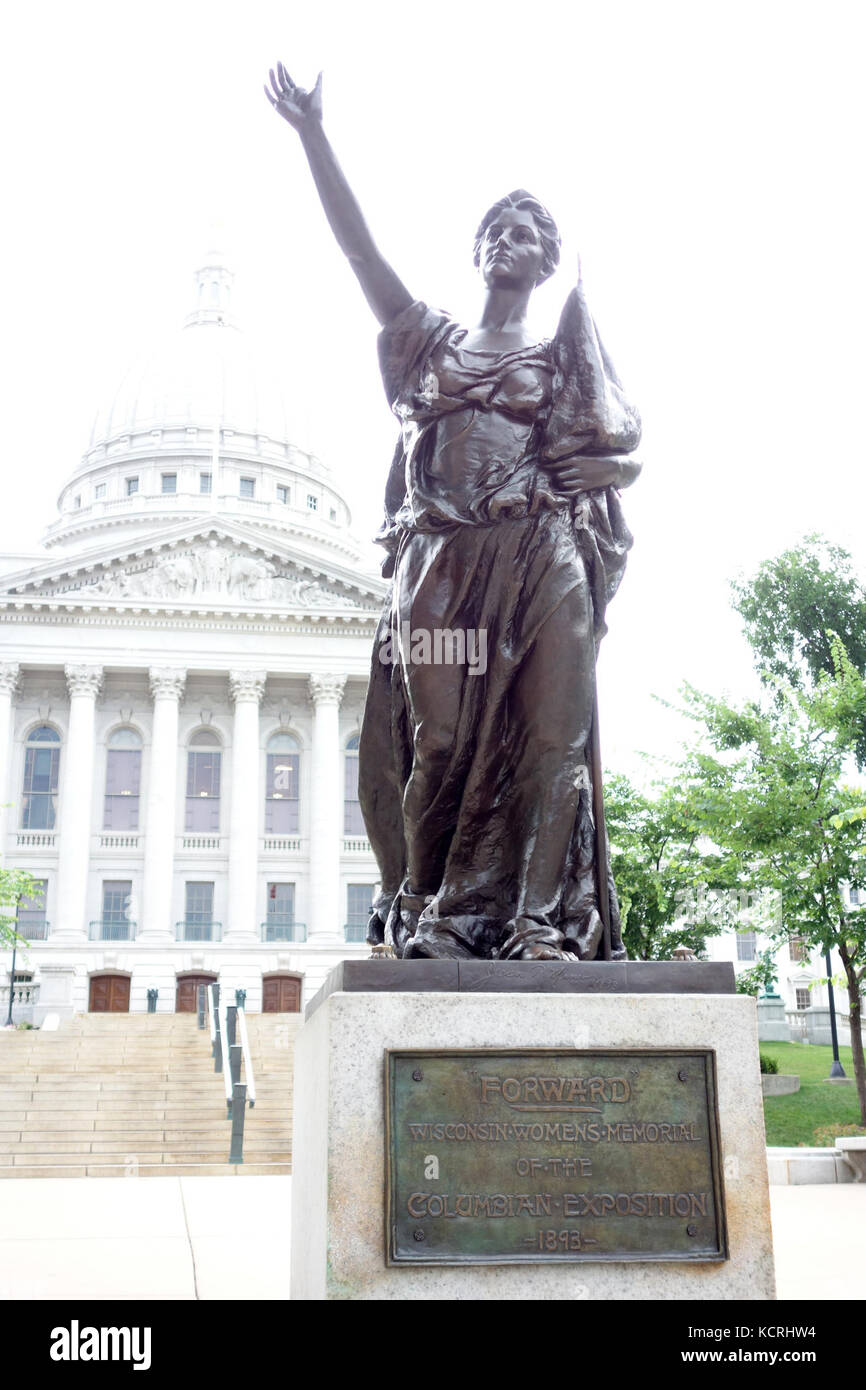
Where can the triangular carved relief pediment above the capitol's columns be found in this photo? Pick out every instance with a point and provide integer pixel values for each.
(201, 573)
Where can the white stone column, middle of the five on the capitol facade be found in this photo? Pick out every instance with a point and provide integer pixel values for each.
(161, 814)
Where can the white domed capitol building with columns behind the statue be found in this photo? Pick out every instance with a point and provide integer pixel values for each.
(181, 686)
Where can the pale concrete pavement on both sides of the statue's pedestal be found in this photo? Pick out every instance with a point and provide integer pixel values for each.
(218, 1238)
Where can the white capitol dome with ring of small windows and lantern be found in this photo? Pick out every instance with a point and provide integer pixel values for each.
(199, 426)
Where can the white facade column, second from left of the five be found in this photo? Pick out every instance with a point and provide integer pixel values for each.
(76, 803)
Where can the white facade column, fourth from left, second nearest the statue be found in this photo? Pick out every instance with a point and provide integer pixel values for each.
(247, 689)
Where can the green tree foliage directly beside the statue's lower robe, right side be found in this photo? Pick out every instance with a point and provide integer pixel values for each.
(668, 879)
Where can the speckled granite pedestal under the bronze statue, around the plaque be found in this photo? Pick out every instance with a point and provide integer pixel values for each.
(340, 1163)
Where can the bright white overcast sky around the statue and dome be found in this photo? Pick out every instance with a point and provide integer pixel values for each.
(703, 156)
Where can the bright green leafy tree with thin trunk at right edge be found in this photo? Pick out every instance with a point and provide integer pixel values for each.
(778, 804)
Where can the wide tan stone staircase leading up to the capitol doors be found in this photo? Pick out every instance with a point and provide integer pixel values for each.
(136, 1095)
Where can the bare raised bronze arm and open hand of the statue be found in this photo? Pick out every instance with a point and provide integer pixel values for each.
(384, 290)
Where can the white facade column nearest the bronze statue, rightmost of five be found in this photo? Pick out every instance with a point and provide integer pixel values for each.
(326, 812)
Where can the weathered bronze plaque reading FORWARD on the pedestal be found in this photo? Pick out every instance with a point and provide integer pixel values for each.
(530, 1157)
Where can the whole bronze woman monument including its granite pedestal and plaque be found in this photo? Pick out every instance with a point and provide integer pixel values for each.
(500, 1104)
